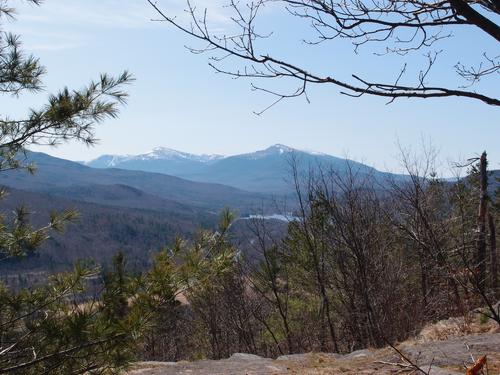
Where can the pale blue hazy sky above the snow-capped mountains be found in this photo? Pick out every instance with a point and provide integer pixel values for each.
(179, 102)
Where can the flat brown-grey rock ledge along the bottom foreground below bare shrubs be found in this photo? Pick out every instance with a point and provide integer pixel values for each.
(437, 358)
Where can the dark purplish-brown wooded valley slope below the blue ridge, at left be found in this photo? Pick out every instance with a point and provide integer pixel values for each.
(100, 231)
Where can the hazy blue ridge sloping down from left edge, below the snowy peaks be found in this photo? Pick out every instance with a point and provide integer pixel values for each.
(119, 187)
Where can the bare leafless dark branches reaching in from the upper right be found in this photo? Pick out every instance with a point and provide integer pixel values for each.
(401, 26)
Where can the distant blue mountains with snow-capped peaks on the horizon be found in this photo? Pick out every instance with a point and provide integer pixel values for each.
(265, 171)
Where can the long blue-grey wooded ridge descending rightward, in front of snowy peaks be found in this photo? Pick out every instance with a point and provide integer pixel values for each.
(54, 174)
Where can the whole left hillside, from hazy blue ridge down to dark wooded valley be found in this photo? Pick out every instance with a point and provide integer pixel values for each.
(133, 211)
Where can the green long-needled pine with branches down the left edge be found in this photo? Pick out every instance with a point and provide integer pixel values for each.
(54, 329)
